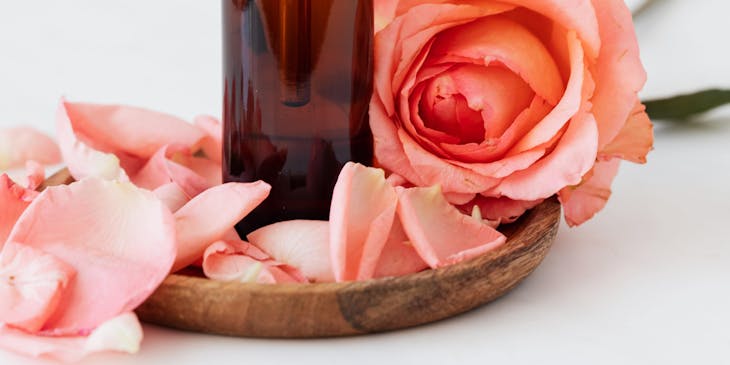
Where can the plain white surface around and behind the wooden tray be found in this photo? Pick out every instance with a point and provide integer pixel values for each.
(648, 281)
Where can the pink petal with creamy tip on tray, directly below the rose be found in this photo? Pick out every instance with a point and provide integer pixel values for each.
(439, 232)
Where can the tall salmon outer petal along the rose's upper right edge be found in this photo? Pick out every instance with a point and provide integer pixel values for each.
(619, 74)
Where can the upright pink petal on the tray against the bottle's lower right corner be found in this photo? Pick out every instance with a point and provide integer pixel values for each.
(361, 216)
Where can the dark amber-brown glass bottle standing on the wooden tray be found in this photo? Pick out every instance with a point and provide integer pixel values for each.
(298, 82)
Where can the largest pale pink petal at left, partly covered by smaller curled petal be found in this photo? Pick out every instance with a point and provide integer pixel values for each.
(119, 239)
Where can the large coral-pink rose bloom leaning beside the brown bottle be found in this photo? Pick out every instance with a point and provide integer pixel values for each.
(507, 103)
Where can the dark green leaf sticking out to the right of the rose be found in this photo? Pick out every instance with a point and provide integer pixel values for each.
(684, 106)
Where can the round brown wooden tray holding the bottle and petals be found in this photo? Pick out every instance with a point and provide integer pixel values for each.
(323, 310)
